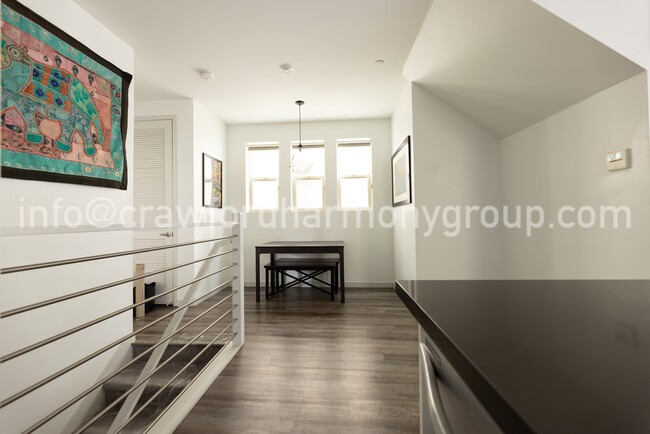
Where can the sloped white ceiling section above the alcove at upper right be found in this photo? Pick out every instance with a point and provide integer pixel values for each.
(508, 64)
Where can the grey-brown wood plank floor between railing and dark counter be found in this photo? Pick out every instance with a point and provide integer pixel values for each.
(310, 365)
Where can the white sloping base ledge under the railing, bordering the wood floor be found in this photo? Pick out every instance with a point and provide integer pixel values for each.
(188, 399)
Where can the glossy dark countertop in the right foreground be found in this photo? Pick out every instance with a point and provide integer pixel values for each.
(556, 356)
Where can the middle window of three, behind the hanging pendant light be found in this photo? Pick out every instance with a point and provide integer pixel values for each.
(309, 189)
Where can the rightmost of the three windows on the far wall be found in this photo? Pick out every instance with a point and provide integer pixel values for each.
(354, 159)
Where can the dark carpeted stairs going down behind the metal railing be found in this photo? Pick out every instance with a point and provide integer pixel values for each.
(122, 382)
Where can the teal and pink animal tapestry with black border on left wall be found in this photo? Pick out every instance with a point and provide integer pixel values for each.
(64, 107)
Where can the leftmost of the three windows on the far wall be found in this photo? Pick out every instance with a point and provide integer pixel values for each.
(262, 173)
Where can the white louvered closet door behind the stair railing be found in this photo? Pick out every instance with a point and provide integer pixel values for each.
(153, 200)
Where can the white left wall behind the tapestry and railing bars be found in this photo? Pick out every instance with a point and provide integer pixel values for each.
(21, 289)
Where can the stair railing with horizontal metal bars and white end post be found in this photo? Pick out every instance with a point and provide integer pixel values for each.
(169, 417)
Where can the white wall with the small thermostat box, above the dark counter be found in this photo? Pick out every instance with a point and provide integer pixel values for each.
(561, 161)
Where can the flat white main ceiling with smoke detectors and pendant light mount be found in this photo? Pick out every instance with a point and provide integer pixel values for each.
(332, 44)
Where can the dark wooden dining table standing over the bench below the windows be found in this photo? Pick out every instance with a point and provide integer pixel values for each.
(273, 248)
